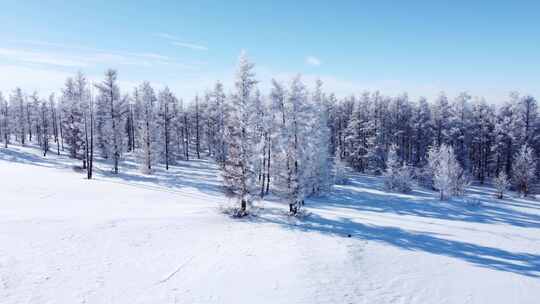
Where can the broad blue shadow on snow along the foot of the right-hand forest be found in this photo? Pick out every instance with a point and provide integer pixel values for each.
(365, 193)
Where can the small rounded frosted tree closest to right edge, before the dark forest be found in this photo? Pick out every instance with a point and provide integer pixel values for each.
(523, 169)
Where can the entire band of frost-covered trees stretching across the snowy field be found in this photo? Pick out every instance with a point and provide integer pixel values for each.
(293, 142)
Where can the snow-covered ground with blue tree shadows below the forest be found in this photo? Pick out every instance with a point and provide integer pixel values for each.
(162, 239)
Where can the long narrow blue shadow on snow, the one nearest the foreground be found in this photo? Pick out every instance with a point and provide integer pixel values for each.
(498, 259)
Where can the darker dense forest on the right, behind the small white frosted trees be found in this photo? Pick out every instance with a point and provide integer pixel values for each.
(485, 139)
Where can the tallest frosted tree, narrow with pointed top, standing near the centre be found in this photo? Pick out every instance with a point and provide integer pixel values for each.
(239, 171)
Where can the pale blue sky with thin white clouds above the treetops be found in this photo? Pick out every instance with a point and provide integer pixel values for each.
(487, 48)
